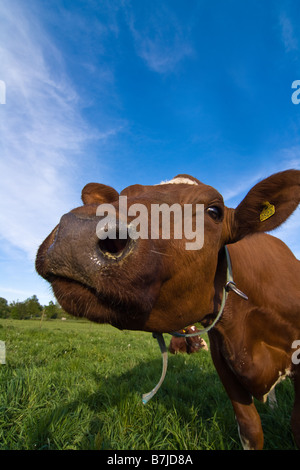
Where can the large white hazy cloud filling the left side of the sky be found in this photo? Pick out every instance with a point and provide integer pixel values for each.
(41, 131)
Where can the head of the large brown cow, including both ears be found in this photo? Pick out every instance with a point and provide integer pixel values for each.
(151, 283)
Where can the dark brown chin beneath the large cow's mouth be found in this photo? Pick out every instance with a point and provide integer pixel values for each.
(80, 300)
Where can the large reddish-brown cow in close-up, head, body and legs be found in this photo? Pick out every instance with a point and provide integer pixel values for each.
(157, 285)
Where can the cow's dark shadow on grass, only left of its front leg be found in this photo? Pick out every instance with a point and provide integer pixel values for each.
(117, 417)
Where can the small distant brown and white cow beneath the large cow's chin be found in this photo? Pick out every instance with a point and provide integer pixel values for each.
(187, 344)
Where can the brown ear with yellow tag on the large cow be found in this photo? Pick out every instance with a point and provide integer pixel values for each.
(266, 206)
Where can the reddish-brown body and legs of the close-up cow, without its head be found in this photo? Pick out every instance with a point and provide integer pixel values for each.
(251, 344)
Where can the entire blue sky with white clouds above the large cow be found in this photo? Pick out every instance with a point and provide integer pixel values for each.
(124, 92)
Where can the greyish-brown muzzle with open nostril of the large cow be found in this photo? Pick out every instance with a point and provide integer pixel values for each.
(75, 251)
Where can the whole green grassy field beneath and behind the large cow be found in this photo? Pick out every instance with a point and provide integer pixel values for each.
(77, 385)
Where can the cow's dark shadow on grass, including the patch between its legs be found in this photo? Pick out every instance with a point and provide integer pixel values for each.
(191, 407)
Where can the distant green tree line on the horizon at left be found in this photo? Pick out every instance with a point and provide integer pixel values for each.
(30, 308)
